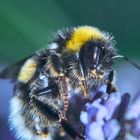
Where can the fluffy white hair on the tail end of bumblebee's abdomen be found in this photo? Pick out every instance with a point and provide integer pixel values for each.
(17, 123)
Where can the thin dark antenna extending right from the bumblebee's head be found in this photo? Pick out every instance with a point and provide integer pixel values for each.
(128, 60)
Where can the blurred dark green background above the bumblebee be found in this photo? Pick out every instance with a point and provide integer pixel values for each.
(27, 25)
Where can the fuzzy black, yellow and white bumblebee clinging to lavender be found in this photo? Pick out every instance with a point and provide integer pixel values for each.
(77, 60)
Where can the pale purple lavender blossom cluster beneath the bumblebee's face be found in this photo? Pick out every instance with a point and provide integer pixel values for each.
(109, 118)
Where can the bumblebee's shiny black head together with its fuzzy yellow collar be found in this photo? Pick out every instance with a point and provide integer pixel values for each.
(92, 47)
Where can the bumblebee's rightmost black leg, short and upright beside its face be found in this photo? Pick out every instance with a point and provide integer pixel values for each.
(110, 87)
